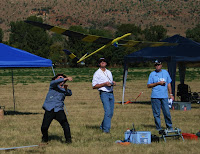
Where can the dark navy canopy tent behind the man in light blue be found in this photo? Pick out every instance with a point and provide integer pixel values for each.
(186, 51)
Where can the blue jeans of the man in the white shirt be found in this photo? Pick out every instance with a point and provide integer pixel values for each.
(108, 105)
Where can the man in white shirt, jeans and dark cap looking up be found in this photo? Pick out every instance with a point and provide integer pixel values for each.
(103, 81)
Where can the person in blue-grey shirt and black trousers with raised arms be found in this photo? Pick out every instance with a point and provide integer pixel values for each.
(53, 106)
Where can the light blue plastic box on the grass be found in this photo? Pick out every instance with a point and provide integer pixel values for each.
(138, 137)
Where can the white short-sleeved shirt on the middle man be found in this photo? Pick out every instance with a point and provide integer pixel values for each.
(100, 77)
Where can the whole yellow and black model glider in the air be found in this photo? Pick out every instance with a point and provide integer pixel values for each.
(98, 39)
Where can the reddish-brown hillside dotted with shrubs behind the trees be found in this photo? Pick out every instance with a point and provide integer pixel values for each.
(175, 15)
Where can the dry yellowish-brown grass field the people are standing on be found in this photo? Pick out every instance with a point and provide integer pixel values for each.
(85, 113)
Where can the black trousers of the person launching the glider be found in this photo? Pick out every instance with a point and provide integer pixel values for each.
(61, 118)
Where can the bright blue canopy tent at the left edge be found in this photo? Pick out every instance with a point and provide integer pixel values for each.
(15, 58)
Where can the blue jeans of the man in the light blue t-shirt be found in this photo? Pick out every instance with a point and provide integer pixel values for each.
(157, 104)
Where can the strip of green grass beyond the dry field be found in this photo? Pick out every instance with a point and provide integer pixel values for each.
(42, 75)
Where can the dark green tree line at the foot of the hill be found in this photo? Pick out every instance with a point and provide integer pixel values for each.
(50, 45)
